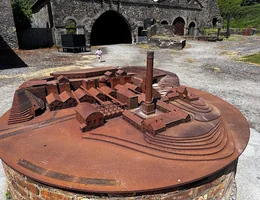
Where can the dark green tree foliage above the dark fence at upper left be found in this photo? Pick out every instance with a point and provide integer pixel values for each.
(22, 13)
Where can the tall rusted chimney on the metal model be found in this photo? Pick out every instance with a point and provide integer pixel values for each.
(148, 106)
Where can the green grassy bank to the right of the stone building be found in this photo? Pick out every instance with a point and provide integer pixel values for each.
(243, 13)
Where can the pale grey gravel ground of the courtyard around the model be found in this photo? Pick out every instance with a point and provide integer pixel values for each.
(211, 67)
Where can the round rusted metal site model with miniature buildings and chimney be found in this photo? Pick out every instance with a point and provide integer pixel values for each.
(111, 130)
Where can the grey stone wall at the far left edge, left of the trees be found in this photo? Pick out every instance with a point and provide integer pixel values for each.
(7, 30)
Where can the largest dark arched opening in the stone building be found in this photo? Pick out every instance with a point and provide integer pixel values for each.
(110, 28)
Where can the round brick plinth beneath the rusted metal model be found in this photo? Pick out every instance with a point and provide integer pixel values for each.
(218, 186)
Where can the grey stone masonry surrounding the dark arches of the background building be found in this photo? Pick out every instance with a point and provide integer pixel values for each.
(85, 13)
